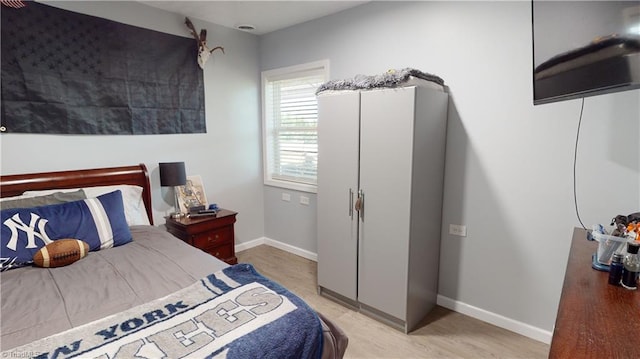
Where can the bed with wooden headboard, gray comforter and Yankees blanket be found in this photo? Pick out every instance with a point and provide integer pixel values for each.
(150, 296)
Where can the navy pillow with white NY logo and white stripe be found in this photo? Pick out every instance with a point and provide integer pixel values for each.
(99, 221)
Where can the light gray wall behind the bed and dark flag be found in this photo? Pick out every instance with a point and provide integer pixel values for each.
(227, 156)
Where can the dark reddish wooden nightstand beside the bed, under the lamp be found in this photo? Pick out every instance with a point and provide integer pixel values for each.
(212, 234)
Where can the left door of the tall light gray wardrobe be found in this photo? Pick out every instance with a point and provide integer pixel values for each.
(338, 127)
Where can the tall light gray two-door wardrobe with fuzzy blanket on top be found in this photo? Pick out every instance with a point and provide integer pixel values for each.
(380, 180)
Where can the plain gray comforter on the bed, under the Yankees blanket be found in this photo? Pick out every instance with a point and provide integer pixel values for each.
(37, 302)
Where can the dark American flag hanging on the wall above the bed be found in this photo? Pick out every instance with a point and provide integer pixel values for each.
(69, 73)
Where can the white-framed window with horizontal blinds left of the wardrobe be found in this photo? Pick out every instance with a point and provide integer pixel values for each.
(289, 120)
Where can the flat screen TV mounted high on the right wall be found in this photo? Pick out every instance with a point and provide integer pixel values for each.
(584, 48)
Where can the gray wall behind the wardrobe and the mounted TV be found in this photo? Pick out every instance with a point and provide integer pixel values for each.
(509, 164)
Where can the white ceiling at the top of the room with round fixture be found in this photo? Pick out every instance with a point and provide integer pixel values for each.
(265, 16)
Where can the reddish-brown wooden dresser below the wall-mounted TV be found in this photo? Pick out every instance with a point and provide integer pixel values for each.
(595, 319)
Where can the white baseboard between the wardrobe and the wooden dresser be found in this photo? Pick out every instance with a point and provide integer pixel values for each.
(496, 319)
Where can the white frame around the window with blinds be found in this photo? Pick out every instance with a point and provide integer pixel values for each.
(275, 75)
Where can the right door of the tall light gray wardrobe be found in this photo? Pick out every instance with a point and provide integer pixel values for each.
(386, 142)
